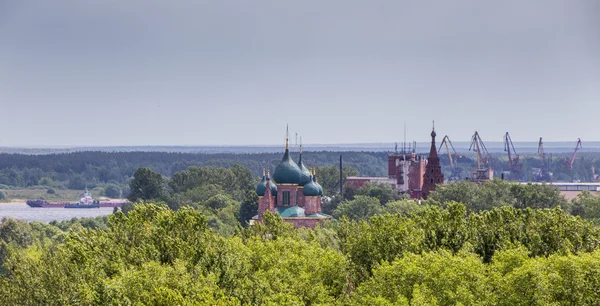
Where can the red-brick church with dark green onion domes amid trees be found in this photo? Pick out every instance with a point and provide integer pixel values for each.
(293, 193)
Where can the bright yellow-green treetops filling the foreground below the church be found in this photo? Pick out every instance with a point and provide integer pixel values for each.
(446, 256)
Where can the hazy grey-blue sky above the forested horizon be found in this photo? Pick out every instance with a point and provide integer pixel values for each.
(141, 72)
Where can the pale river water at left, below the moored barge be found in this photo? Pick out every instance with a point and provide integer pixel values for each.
(24, 212)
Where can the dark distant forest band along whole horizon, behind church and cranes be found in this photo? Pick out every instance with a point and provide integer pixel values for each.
(80, 170)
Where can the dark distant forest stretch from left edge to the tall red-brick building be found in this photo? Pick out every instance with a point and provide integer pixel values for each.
(91, 169)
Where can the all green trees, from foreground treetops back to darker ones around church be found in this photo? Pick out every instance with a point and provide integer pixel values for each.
(186, 241)
